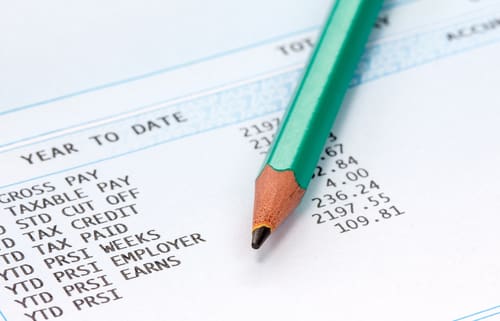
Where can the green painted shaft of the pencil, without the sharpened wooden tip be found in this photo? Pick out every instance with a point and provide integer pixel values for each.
(318, 98)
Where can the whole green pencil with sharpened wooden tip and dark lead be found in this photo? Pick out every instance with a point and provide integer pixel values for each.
(296, 150)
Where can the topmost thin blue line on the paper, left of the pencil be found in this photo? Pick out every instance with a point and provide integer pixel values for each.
(156, 72)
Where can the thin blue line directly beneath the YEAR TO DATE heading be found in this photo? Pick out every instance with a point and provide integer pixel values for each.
(136, 150)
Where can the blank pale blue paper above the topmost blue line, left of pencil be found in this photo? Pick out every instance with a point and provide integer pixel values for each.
(53, 47)
